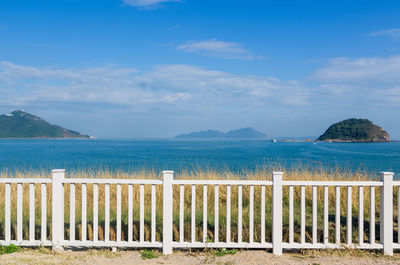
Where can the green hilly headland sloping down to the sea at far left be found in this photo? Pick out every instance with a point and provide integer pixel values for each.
(19, 124)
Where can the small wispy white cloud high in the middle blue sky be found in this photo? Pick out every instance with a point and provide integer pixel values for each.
(217, 48)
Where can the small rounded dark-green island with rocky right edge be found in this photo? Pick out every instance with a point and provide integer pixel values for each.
(355, 130)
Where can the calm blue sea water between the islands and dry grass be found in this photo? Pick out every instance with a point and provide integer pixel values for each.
(177, 155)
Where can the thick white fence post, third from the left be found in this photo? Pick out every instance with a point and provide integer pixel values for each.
(277, 213)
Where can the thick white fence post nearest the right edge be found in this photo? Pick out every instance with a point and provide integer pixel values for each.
(386, 213)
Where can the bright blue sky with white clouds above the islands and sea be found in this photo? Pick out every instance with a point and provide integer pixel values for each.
(158, 68)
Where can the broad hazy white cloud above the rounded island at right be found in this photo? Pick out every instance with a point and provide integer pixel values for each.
(364, 82)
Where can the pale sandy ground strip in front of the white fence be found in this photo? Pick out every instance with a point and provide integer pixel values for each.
(102, 257)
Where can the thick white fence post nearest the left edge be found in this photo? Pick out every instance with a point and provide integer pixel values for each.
(57, 208)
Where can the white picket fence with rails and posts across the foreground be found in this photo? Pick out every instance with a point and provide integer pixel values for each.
(58, 240)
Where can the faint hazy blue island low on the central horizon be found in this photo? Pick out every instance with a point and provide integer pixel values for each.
(243, 133)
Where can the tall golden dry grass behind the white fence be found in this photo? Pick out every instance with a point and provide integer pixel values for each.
(299, 174)
